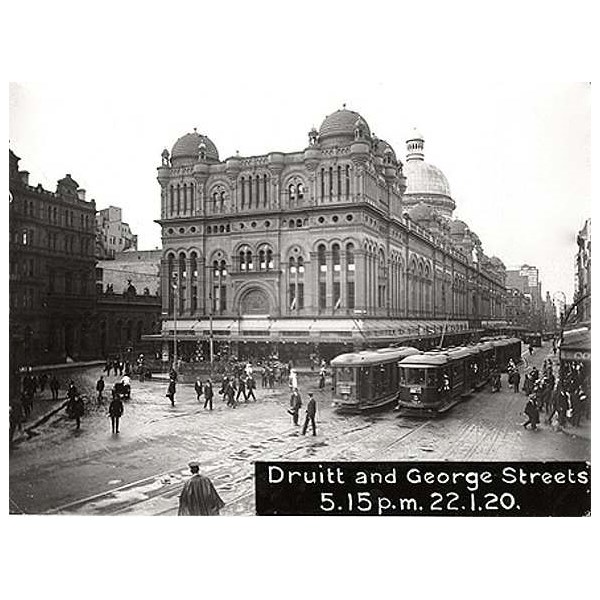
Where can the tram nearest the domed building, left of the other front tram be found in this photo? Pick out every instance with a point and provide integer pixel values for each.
(368, 379)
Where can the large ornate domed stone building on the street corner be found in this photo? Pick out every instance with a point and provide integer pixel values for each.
(335, 245)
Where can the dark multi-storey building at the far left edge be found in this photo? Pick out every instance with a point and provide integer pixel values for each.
(52, 291)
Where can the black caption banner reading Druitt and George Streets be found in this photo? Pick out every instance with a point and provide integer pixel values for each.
(499, 489)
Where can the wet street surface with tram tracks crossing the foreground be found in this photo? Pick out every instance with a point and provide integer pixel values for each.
(141, 470)
